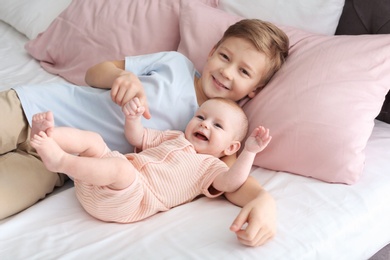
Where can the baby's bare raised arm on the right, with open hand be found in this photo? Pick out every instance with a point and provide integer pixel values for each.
(239, 171)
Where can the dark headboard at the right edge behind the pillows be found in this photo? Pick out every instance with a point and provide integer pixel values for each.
(367, 17)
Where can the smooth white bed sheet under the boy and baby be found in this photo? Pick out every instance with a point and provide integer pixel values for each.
(316, 220)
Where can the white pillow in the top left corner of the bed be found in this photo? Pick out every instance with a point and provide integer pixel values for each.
(31, 17)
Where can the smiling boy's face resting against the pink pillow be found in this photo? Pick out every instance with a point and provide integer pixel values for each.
(233, 70)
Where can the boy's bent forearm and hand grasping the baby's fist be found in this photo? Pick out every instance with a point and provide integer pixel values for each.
(124, 85)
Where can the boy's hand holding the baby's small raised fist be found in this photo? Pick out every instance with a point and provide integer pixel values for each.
(126, 87)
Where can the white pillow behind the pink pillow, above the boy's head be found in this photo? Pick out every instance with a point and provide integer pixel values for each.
(317, 16)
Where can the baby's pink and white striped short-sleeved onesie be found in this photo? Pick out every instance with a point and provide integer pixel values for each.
(171, 173)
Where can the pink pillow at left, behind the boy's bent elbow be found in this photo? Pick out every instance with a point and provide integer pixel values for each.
(91, 31)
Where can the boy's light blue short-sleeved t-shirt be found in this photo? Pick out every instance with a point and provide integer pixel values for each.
(168, 80)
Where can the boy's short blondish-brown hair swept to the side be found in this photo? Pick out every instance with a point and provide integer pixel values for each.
(266, 37)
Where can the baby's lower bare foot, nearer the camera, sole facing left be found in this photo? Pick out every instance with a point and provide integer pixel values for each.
(49, 151)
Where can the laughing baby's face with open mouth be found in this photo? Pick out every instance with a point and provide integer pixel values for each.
(212, 130)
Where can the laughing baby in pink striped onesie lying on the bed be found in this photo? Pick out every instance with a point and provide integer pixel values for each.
(173, 167)
